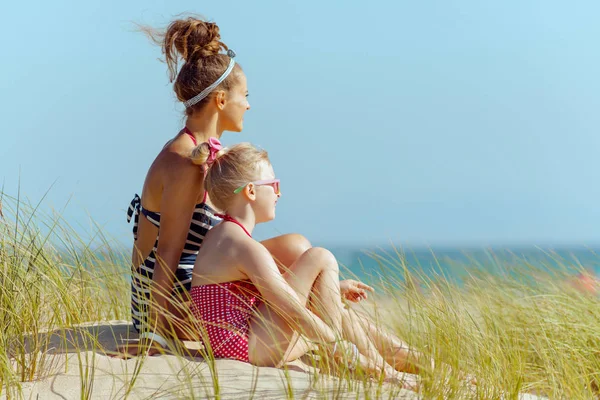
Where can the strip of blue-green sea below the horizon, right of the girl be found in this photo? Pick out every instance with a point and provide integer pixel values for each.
(393, 263)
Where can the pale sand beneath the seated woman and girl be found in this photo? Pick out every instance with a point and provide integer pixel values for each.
(81, 368)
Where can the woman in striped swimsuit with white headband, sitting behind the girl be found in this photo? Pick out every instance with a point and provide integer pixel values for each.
(214, 90)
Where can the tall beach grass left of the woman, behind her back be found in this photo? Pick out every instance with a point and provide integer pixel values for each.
(51, 281)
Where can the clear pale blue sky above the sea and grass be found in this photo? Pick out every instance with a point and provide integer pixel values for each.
(419, 123)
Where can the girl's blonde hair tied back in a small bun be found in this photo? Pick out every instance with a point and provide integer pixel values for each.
(234, 166)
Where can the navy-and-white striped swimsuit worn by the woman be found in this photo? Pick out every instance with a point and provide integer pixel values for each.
(202, 220)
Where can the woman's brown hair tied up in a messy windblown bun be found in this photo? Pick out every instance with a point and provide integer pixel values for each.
(198, 44)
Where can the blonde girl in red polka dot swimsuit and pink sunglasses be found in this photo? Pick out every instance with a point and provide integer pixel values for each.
(251, 311)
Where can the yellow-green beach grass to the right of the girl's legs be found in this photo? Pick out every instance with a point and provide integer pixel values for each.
(517, 327)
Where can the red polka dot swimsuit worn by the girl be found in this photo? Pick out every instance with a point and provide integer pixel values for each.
(224, 311)
